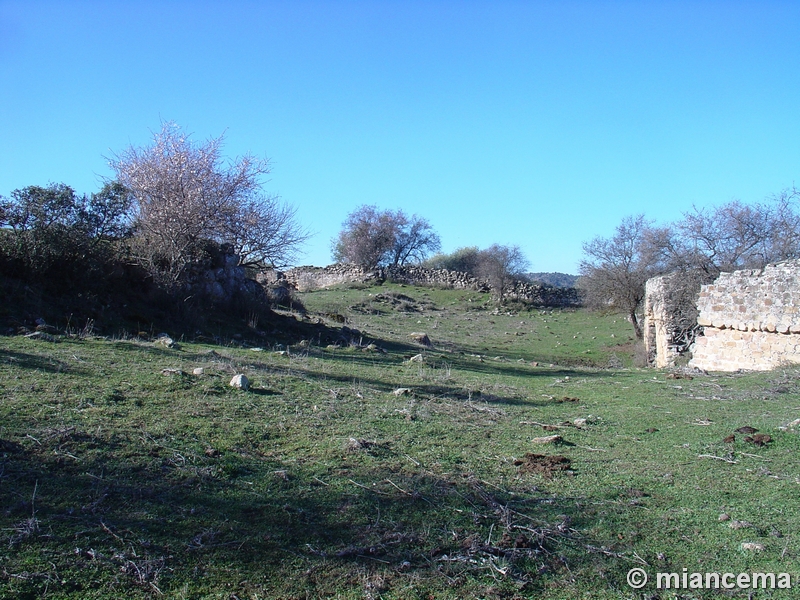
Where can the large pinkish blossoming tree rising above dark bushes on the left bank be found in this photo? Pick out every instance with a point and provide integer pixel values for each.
(185, 195)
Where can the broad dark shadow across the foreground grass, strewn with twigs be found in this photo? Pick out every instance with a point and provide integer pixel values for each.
(94, 518)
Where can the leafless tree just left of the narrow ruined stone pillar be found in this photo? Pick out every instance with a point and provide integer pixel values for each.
(614, 270)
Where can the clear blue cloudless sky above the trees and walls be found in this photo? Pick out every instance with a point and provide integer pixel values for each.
(540, 124)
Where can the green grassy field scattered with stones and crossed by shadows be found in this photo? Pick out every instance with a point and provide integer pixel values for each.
(364, 464)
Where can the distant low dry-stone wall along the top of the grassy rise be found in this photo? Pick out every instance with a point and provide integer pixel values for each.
(312, 278)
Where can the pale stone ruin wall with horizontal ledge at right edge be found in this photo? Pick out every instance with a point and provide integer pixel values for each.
(751, 320)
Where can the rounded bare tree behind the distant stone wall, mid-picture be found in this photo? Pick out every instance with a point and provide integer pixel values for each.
(373, 238)
